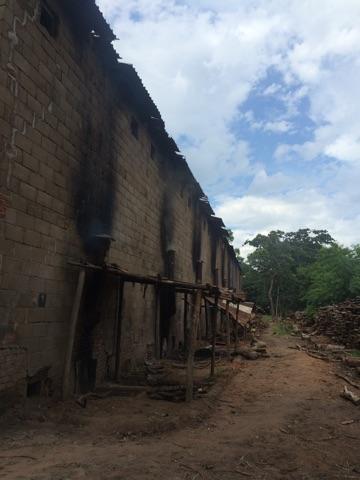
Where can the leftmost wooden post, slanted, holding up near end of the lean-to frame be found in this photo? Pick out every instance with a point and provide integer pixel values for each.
(71, 339)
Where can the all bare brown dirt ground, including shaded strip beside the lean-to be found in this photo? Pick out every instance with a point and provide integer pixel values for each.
(278, 418)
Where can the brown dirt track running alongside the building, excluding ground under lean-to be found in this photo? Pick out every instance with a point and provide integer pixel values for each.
(280, 418)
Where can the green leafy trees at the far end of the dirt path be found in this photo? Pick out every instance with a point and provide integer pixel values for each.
(288, 271)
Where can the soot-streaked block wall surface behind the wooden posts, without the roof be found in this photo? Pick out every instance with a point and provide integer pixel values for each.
(70, 164)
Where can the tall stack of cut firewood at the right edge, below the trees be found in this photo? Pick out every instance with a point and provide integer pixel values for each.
(341, 322)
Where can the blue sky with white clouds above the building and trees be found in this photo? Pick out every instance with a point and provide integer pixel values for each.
(262, 97)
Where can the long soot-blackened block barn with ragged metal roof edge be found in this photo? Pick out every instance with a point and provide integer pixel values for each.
(105, 233)
